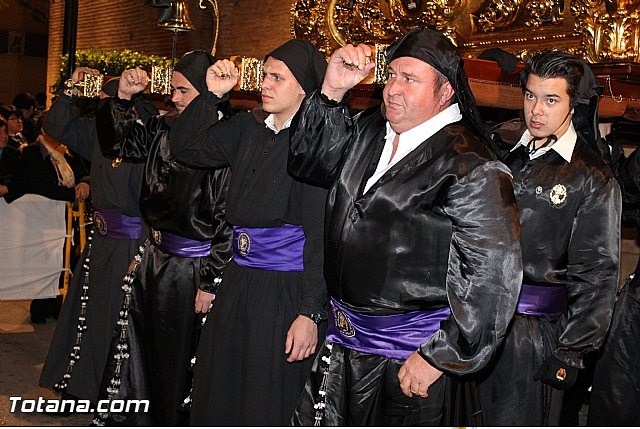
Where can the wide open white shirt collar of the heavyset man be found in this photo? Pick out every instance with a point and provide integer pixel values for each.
(410, 140)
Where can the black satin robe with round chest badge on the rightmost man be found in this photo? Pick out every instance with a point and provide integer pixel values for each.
(571, 237)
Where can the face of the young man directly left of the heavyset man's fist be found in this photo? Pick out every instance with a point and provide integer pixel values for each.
(281, 92)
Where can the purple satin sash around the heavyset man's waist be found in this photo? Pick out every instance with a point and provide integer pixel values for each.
(394, 336)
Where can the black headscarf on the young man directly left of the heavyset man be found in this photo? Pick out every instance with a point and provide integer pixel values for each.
(306, 63)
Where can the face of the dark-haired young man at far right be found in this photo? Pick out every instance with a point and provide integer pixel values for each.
(547, 106)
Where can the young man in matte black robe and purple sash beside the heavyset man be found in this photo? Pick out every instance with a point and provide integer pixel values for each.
(256, 348)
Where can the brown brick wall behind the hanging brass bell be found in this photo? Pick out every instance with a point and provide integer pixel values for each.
(247, 27)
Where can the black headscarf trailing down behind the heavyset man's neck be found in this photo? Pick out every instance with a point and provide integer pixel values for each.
(437, 50)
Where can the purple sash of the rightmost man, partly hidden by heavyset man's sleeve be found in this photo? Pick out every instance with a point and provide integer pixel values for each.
(542, 301)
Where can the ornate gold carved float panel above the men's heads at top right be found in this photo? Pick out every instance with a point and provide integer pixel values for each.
(604, 30)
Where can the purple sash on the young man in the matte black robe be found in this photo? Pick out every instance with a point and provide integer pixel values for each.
(273, 249)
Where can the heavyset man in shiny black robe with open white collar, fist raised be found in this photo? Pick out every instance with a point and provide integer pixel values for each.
(422, 255)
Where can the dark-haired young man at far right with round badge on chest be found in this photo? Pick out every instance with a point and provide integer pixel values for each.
(570, 207)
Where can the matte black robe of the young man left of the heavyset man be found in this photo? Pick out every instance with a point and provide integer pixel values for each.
(241, 376)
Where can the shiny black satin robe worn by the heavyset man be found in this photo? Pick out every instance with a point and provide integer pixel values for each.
(438, 229)
